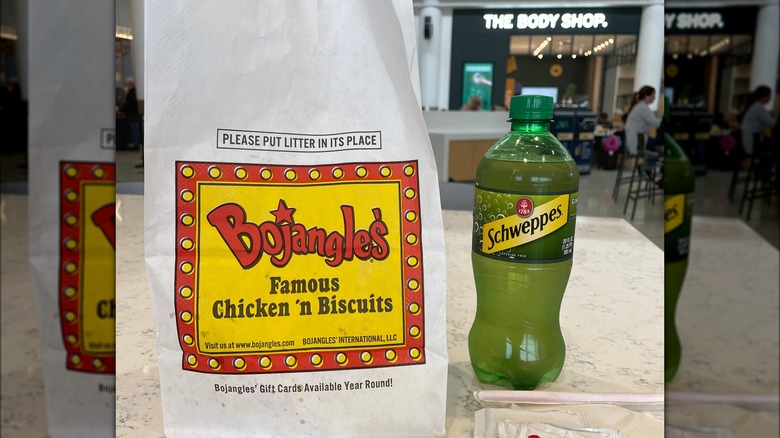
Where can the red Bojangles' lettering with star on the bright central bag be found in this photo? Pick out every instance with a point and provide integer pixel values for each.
(283, 237)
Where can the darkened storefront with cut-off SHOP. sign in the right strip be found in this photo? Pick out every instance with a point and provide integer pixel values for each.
(709, 61)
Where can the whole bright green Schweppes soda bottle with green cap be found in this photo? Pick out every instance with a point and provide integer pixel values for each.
(525, 206)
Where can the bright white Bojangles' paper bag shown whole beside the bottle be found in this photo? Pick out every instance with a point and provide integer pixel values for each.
(293, 234)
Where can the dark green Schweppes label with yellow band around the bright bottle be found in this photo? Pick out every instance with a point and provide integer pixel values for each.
(528, 228)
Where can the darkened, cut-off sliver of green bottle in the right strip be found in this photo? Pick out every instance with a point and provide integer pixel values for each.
(679, 179)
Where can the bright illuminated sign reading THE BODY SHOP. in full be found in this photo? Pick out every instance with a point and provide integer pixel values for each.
(585, 20)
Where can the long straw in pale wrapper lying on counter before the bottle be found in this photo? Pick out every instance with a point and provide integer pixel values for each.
(555, 398)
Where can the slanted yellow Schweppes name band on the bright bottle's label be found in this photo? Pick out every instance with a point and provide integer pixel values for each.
(516, 230)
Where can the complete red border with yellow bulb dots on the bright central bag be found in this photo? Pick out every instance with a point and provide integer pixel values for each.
(412, 351)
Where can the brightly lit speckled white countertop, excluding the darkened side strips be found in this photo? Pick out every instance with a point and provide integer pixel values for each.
(612, 320)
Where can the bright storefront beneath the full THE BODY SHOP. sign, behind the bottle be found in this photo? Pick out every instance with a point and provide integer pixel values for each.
(564, 53)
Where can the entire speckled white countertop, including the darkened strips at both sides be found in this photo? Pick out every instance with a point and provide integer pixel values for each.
(727, 319)
